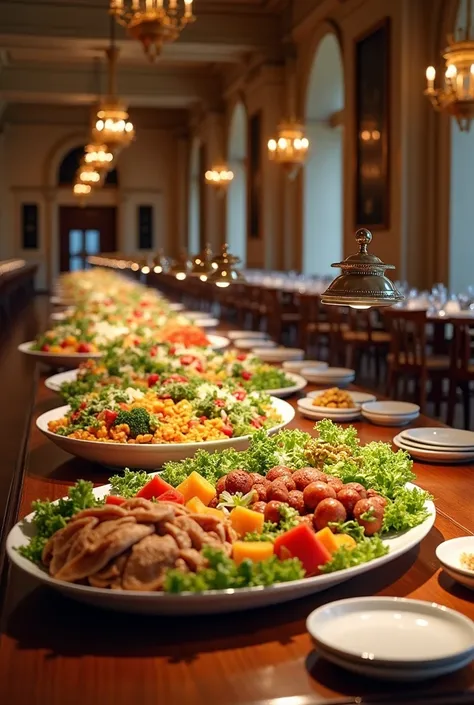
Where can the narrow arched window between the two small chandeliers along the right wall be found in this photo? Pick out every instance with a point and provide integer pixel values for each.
(236, 226)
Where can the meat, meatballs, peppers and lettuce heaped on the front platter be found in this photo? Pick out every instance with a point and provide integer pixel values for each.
(289, 507)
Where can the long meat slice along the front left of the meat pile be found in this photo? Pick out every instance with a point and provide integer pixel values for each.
(96, 555)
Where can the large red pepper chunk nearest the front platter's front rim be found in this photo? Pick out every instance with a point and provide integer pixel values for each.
(301, 542)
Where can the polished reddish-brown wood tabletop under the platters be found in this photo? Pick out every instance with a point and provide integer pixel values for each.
(54, 651)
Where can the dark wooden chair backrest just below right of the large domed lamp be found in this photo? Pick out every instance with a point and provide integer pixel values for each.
(408, 338)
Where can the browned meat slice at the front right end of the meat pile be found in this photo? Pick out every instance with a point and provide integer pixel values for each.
(149, 560)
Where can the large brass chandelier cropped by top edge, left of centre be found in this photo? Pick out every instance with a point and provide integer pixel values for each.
(153, 22)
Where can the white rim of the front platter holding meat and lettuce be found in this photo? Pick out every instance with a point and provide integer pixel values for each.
(212, 601)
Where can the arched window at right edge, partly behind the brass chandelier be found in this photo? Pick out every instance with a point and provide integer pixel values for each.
(461, 194)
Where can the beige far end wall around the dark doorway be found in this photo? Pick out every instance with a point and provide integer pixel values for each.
(148, 174)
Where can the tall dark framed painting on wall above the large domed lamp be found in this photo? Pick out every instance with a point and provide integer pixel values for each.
(372, 139)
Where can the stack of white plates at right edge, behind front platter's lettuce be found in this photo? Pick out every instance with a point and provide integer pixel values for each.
(439, 445)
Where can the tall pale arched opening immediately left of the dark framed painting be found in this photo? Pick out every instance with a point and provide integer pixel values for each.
(323, 171)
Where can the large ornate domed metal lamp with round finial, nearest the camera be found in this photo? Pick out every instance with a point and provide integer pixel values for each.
(363, 283)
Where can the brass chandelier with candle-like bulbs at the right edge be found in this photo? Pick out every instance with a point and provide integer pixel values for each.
(456, 96)
